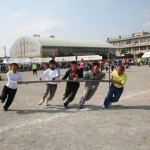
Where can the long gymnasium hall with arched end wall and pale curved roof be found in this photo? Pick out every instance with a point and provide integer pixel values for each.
(38, 46)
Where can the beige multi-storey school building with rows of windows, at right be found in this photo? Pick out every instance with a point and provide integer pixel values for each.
(135, 44)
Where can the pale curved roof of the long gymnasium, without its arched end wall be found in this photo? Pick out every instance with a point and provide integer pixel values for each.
(49, 41)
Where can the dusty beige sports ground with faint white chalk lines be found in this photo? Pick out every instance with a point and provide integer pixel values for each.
(124, 126)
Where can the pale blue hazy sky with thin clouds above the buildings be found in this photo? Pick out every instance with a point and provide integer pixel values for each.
(73, 19)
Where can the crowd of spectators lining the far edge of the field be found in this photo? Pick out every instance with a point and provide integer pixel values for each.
(84, 65)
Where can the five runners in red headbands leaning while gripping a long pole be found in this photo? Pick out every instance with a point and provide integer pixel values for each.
(73, 76)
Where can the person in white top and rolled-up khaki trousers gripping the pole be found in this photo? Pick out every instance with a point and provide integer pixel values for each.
(52, 73)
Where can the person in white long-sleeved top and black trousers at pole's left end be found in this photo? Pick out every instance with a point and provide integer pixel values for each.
(10, 89)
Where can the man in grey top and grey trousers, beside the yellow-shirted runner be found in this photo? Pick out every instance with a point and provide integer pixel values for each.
(91, 86)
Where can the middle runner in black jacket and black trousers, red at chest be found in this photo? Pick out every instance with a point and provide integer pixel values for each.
(73, 74)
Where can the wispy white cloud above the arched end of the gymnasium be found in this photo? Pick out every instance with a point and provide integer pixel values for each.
(40, 27)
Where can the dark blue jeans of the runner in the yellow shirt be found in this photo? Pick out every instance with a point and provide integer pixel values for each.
(113, 95)
